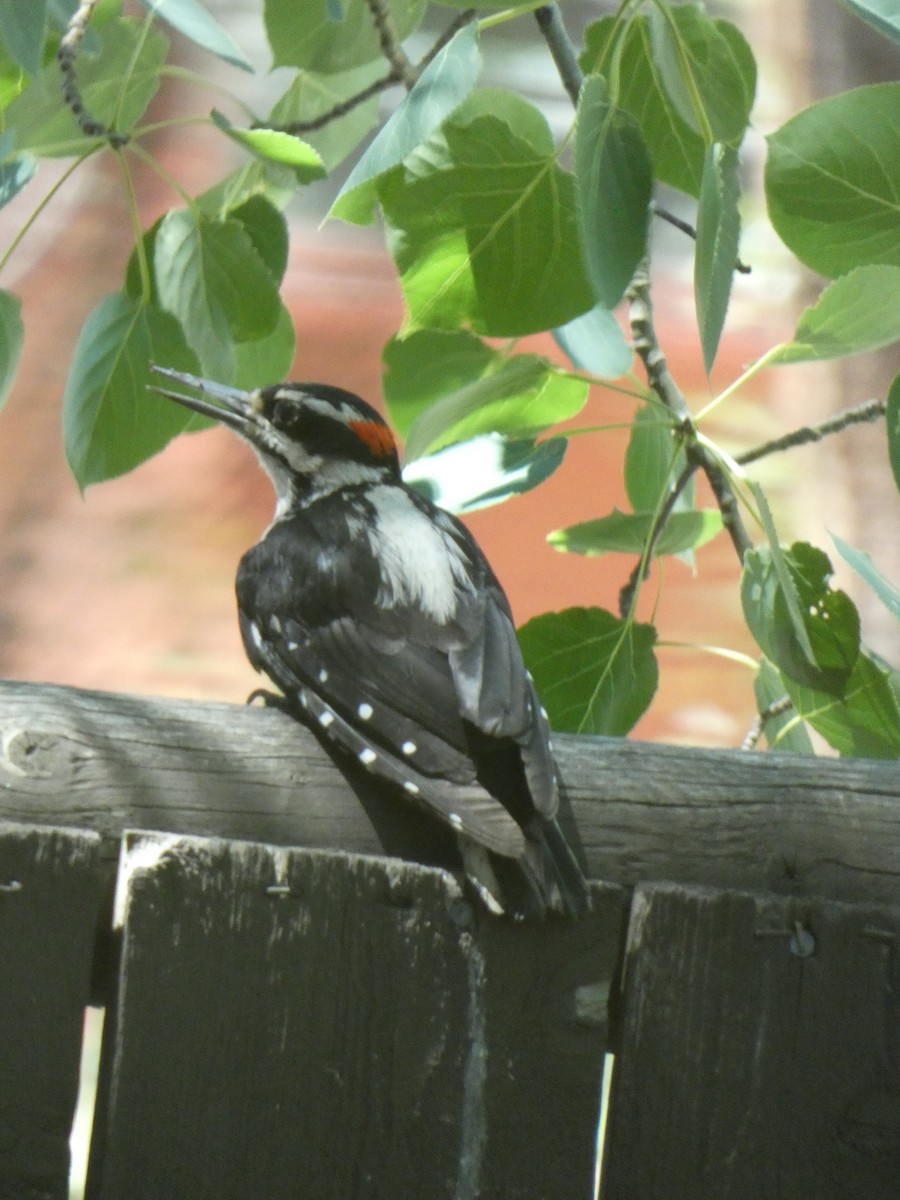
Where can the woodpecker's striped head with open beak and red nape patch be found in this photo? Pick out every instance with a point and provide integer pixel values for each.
(311, 439)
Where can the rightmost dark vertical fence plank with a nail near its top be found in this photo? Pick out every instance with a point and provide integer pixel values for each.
(760, 1052)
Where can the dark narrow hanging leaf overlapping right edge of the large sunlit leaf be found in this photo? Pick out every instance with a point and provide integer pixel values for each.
(615, 185)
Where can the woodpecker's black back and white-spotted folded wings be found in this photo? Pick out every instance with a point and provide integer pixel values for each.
(442, 709)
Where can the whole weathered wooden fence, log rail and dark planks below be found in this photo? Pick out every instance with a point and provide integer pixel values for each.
(321, 1023)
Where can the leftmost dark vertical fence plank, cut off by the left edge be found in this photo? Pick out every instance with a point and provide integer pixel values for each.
(50, 897)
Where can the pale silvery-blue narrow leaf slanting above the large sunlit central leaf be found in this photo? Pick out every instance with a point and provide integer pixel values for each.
(445, 83)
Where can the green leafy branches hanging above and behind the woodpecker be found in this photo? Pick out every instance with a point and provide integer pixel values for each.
(499, 229)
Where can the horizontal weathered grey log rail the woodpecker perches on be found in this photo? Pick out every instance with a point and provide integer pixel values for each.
(759, 823)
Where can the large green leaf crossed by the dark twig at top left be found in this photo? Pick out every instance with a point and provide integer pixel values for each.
(117, 97)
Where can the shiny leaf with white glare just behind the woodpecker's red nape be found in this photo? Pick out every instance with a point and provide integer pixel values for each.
(485, 471)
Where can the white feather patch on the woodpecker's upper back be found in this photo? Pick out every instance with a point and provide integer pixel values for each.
(423, 565)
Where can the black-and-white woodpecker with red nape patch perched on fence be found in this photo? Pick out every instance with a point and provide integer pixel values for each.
(382, 623)
